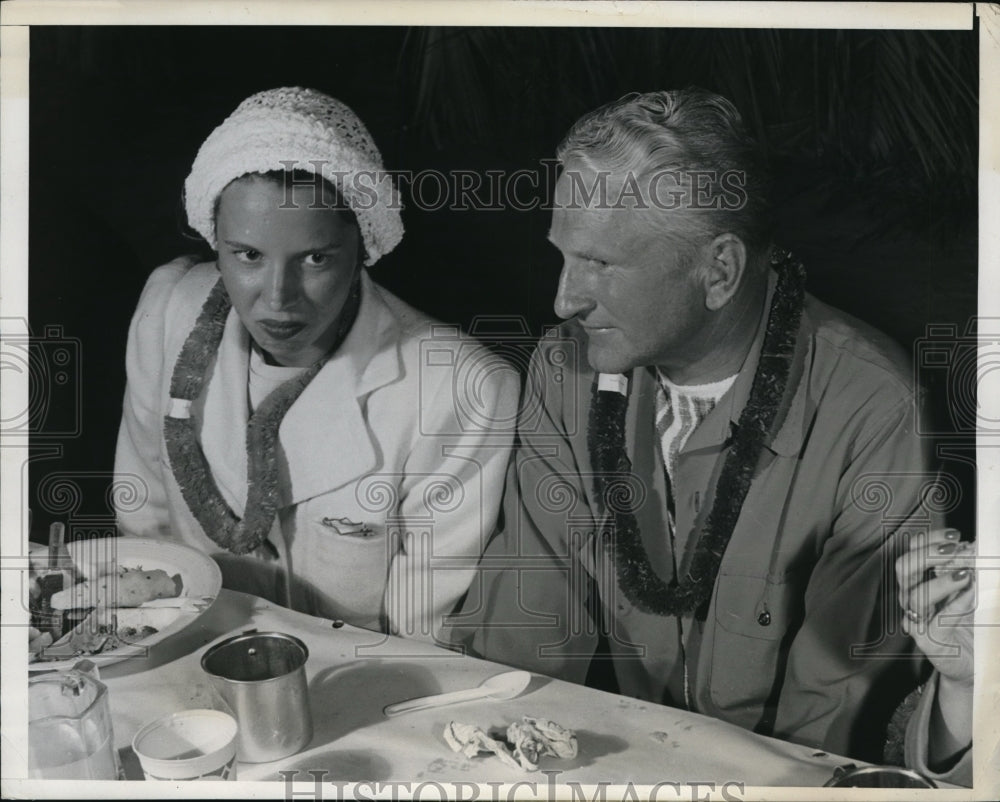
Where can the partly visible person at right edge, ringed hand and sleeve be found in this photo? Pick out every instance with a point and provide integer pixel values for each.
(937, 592)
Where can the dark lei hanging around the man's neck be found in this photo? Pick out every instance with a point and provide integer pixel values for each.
(638, 580)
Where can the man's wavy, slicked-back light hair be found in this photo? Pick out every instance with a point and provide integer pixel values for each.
(682, 130)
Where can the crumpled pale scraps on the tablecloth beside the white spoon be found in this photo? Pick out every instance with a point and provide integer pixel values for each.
(521, 747)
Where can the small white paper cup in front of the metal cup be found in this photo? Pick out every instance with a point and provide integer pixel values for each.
(188, 745)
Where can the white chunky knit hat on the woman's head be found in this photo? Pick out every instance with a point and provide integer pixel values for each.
(316, 133)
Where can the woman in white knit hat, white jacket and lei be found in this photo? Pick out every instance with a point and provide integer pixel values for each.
(287, 415)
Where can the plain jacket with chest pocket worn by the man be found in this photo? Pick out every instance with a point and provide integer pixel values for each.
(803, 613)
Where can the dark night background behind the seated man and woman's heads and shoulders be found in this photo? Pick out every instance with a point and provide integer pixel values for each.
(873, 136)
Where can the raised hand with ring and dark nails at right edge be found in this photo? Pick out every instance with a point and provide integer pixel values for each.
(937, 592)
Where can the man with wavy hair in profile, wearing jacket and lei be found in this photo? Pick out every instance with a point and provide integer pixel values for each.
(714, 467)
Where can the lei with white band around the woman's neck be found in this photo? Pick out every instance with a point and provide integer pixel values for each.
(187, 460)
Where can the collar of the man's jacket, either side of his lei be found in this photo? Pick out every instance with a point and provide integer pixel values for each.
(722, 421)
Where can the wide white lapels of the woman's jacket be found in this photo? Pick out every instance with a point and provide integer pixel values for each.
(324, 437)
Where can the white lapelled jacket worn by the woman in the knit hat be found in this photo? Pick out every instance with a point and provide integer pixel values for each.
(391, 462)
